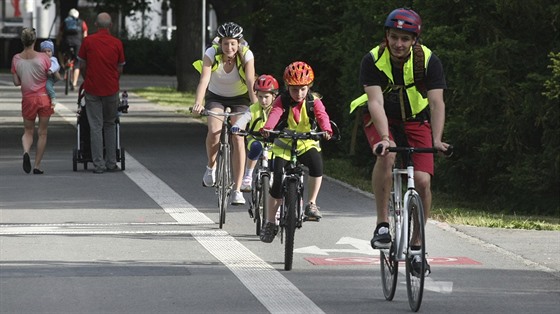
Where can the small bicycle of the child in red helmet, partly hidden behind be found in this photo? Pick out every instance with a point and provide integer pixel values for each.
(258, 207)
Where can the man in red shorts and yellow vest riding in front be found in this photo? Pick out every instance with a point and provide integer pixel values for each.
(398, 109)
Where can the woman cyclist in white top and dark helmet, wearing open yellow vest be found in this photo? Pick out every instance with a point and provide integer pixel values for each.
(227, 74)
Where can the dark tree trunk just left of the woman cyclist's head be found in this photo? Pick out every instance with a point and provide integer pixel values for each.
(188, 17)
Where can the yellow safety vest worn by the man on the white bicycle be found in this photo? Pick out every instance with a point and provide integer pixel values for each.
(415, 99)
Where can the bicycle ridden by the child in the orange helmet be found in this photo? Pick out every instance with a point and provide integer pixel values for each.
(291, 208)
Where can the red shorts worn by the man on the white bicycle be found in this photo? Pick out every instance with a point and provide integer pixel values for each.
(418, 134)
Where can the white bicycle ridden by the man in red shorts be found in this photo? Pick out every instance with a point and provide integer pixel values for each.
(406, 226)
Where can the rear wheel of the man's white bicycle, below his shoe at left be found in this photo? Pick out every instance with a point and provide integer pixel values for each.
(389, 263)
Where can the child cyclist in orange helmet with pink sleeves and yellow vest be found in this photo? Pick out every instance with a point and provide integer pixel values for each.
(298, 77)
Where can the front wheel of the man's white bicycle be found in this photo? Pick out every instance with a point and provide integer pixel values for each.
(415, 277)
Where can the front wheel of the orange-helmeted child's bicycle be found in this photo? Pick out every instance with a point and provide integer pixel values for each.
(290, 227)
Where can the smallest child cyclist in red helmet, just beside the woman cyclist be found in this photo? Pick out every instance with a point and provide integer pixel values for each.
(266, 88)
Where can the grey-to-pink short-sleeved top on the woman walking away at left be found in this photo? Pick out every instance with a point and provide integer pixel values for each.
(32, 73)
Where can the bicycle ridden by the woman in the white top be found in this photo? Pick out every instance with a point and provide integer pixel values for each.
(224, 181)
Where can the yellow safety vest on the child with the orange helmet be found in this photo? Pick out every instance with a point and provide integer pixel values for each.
(282, 146)
